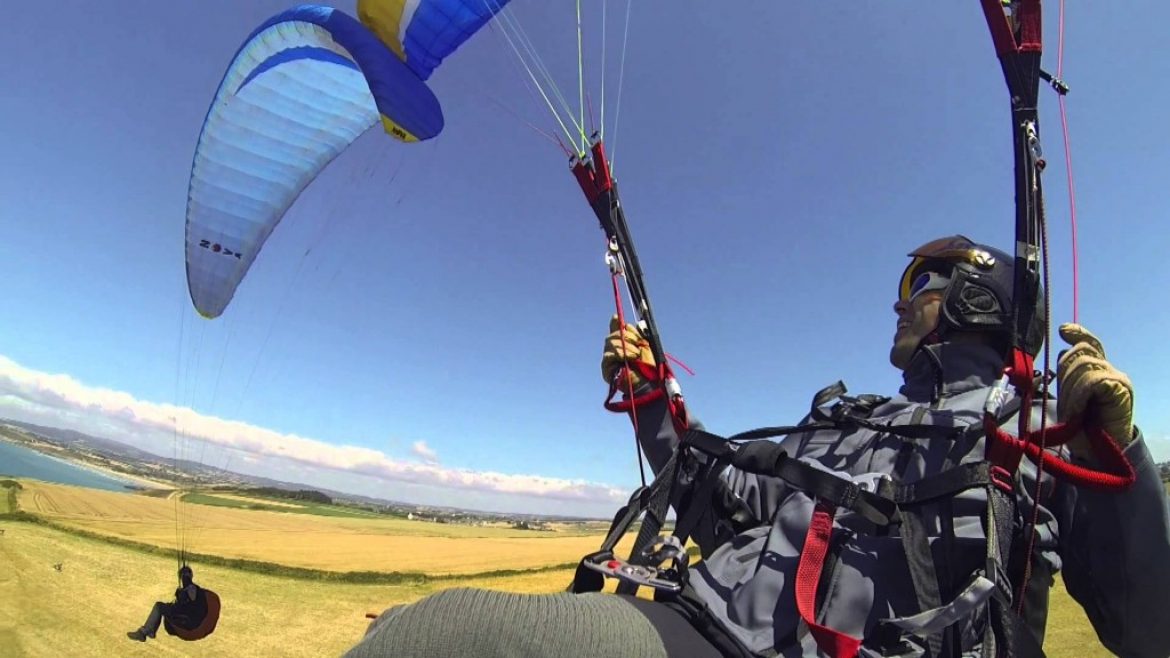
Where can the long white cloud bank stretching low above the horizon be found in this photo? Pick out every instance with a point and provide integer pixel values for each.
(60, 400)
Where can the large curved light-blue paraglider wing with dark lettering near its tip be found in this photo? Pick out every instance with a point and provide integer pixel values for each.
(301, 90)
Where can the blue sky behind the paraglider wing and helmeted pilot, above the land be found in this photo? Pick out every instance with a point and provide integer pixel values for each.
(439, 309)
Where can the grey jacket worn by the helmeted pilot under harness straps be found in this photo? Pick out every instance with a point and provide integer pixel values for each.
(1113, 549)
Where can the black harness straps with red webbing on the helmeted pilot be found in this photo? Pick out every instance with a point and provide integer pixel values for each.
(693, 481)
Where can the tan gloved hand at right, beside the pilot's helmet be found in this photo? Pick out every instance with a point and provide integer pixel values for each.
(1088, 383)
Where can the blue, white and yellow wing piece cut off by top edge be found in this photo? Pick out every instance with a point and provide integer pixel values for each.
(424, 32)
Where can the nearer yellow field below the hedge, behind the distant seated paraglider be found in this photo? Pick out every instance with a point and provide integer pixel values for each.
(105, 591)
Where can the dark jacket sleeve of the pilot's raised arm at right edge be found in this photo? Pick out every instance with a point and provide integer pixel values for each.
(1116, 551)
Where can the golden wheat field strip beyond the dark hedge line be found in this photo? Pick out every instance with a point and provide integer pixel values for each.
(301, 540)
